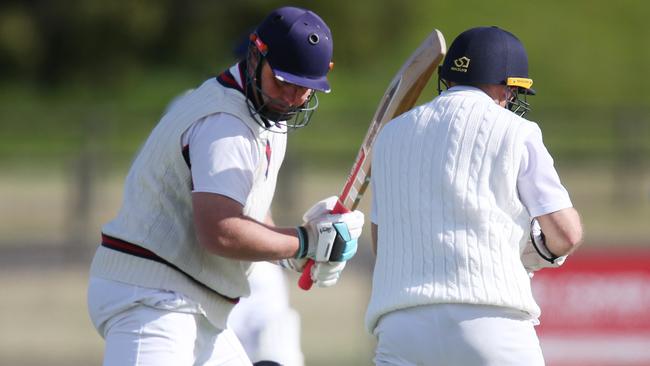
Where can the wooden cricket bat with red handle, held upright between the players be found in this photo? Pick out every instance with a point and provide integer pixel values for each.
(401, 95)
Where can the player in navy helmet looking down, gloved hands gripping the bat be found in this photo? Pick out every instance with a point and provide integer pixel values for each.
(196, 211)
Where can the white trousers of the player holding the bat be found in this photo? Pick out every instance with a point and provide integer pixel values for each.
(153, 327)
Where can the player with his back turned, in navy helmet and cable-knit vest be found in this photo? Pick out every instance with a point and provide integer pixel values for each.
(456, 184)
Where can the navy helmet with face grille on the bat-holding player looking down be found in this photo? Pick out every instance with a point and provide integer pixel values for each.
(297, 45)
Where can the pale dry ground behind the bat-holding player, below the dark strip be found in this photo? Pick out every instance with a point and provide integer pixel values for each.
(45, 322)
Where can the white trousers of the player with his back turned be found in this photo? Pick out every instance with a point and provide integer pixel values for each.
(457, 334)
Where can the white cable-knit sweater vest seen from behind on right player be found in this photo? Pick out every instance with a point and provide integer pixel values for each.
(450, 222)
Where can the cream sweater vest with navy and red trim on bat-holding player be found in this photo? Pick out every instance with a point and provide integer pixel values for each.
(157, 211)
